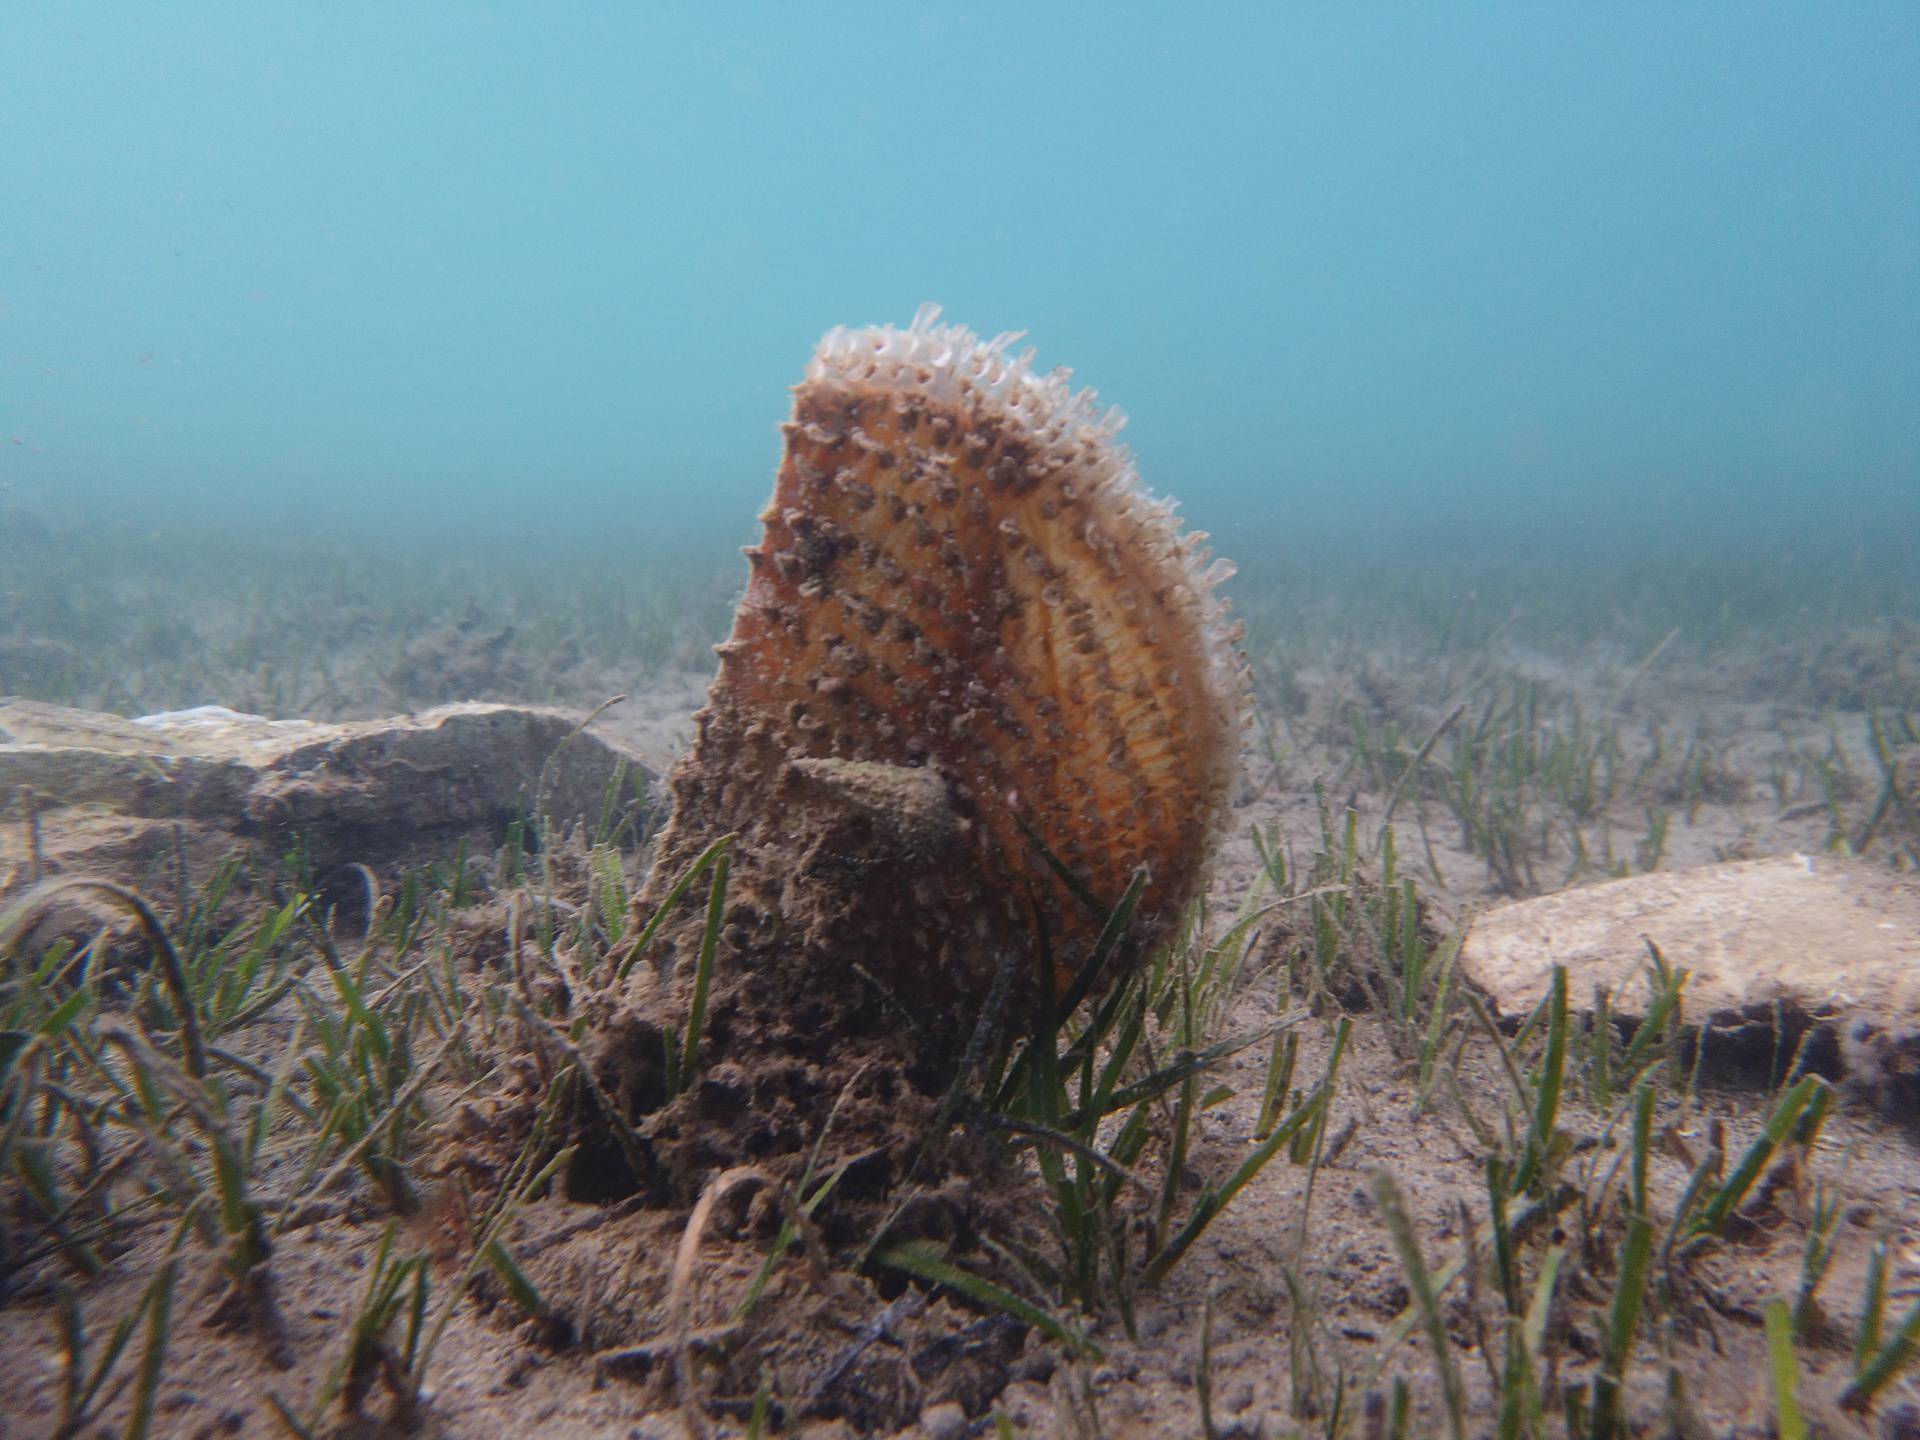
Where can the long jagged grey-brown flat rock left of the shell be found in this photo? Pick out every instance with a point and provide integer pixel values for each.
(112, 798)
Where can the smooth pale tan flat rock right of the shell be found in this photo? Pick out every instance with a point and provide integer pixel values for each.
(1787, 942)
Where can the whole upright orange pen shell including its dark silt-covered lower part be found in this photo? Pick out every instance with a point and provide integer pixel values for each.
(967, 629)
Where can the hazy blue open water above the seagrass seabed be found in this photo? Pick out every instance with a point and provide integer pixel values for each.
(1646, 270)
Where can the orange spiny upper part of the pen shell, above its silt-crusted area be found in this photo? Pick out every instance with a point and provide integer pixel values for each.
(963, 571)
